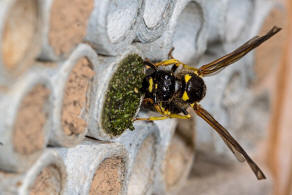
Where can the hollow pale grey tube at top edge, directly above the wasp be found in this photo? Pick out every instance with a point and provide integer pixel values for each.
(186, 31)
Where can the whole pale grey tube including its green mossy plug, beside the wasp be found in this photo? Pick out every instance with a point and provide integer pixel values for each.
(117, 79)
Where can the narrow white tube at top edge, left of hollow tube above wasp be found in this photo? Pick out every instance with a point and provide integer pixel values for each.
(153, 19)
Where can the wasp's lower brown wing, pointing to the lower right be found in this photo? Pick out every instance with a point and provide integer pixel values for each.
(231, 142)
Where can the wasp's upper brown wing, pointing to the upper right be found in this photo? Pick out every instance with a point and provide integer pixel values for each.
(219, 64)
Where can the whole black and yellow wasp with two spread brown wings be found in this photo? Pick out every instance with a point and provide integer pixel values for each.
(171, 92)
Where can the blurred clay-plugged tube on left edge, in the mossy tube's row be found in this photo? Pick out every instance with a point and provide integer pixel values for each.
(24, 126)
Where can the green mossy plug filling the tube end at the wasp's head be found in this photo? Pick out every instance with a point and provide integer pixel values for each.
(122, 98)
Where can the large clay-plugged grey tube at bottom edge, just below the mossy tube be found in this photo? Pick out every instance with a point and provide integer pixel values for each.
(96, 168)
